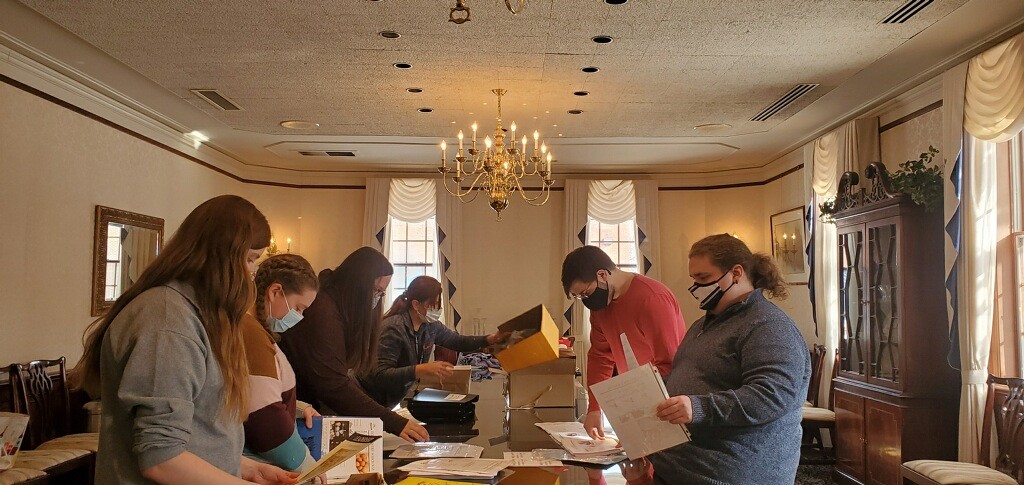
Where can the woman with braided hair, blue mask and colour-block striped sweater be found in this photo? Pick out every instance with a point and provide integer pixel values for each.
(286, 285)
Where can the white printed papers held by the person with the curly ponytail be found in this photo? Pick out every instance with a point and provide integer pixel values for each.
(630, 401)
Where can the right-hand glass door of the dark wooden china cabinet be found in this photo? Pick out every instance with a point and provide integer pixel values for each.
(884, 316)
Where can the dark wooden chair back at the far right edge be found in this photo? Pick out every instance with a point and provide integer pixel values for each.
(1007, 418)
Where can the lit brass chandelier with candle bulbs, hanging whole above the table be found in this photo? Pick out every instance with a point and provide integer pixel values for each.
(498, 170)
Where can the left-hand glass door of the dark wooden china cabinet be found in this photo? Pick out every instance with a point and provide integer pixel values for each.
(852, 286)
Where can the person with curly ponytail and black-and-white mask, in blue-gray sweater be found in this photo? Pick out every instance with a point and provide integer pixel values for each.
(740, 376)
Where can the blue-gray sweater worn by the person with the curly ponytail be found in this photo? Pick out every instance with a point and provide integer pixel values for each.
(747, 373)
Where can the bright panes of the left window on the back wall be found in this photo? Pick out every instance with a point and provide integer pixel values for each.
(413, 252)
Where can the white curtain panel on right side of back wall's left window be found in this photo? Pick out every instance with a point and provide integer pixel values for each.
(450, 243)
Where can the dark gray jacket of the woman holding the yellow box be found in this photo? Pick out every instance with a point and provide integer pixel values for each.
(402, 349)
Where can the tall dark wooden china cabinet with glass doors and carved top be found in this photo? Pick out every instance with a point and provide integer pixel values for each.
(897, 398)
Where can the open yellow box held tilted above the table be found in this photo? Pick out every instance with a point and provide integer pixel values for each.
(540, 347)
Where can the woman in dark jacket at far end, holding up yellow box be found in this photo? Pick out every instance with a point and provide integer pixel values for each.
(411, 329)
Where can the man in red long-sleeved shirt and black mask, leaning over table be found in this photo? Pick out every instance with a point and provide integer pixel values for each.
(642, 308)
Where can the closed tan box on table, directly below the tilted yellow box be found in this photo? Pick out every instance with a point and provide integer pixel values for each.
(548, 385)
